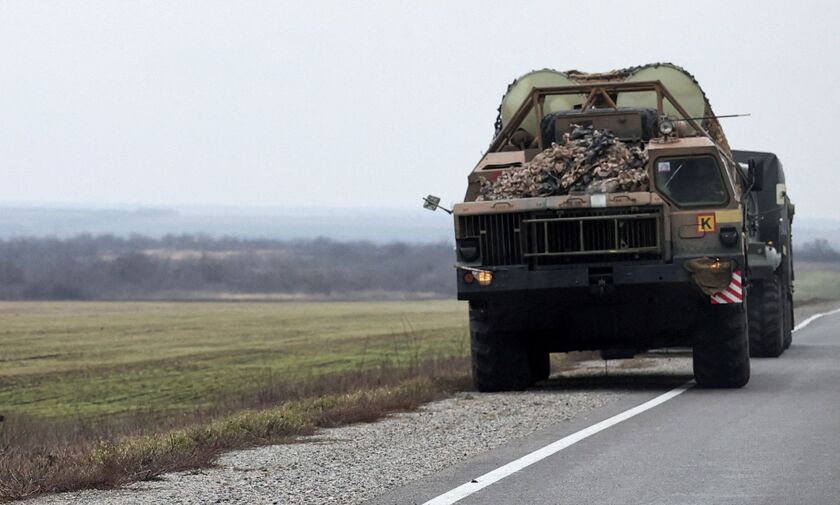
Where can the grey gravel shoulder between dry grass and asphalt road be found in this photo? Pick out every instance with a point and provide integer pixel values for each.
(355, 463)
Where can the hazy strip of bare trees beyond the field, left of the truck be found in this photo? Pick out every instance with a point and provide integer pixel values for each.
(188, 266)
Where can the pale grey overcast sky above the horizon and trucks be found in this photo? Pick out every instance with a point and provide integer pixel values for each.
(368, 103)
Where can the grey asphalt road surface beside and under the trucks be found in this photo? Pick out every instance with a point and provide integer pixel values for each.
(776, 441)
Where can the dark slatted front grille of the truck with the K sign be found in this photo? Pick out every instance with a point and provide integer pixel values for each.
(566, 236)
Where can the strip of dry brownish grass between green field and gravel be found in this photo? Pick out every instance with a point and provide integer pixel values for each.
(53, 455)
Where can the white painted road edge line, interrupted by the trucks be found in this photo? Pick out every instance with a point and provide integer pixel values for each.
(527, 460)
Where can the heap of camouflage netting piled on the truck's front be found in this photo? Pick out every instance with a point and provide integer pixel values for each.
(587, 160)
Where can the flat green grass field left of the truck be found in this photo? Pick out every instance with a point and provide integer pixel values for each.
(94, 359)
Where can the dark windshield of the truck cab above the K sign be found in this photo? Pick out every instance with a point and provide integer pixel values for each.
(690, 181)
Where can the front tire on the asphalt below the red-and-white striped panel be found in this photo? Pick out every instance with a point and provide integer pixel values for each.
(721, 350)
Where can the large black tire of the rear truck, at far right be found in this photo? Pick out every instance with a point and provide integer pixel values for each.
(767, 319)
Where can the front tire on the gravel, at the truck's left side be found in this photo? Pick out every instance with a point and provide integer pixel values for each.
(500, 360)
